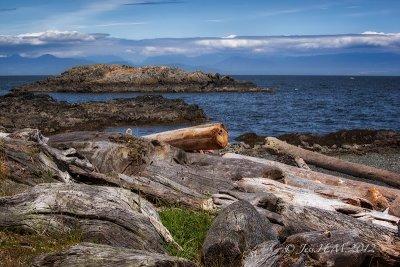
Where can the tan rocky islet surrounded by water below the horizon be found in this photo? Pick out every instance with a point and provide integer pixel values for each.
(121, 78)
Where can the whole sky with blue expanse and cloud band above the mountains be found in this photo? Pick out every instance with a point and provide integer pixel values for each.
(138, 29)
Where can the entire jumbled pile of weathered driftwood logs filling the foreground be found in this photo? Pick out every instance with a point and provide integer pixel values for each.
(272, 214)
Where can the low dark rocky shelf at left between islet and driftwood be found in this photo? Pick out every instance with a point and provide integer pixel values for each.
(28, 110)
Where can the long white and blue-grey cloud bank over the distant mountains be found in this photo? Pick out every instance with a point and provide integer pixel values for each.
(72, 43)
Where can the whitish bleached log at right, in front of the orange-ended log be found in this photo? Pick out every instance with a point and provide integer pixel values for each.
(301, 211)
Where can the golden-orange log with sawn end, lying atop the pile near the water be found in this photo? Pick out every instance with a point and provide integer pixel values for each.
(201, 137)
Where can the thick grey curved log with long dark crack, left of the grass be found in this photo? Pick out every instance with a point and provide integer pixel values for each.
(109, 215)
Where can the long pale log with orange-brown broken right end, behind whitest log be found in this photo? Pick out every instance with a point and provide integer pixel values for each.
(351, 191)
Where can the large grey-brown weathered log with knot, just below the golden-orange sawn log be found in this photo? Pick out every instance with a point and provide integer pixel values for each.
(156, 169)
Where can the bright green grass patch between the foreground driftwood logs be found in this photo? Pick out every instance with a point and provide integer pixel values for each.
(189, 229)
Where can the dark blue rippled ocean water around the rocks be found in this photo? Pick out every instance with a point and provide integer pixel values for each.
(315, 104)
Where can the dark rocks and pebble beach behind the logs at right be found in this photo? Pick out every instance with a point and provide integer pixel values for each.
(376, 148)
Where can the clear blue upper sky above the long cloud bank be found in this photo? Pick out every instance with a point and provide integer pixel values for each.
(198, 18)
